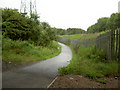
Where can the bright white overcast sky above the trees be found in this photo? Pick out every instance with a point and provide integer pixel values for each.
(69, 13)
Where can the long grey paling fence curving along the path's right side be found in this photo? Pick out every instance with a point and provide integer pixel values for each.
(108, 42)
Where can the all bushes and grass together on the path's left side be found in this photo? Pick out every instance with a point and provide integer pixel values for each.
(26, 39)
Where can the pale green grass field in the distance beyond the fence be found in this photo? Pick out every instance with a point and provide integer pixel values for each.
(83, 37)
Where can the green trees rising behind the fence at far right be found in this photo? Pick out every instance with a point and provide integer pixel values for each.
(106, 23)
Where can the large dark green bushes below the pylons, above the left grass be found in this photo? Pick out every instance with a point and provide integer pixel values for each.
(17, 26)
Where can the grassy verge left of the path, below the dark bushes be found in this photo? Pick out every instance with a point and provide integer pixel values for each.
(21, 52)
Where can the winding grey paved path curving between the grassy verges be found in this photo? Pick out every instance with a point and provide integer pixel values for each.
(38, 75)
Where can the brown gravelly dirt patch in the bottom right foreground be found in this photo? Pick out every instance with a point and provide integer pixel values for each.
(78, 81)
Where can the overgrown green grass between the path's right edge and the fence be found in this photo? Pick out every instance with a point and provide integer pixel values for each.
(90, 62)
